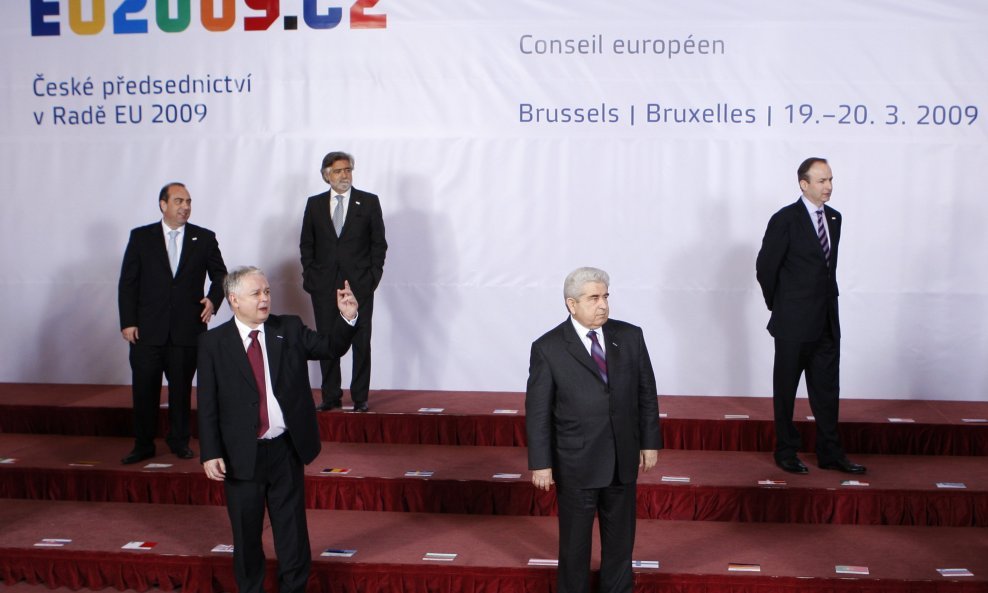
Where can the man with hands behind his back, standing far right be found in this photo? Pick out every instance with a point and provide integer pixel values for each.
(797, 270)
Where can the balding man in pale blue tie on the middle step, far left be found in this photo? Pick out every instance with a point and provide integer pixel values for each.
(162, 312)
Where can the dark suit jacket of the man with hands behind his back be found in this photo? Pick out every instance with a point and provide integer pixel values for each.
(798, 286)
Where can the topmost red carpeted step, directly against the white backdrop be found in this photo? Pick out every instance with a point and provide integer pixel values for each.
(889, 427)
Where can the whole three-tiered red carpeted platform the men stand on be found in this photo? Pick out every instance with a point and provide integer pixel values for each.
(60, 477)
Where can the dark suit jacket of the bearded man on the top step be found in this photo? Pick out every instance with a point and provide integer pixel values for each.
(357, 255)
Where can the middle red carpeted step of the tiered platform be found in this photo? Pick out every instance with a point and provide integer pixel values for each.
(686, 485)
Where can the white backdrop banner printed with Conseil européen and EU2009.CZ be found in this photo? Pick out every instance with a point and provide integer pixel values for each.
(511, 142)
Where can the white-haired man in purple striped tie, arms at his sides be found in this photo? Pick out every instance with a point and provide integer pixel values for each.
(592, 420)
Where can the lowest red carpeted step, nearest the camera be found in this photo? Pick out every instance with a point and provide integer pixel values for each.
(492, 553)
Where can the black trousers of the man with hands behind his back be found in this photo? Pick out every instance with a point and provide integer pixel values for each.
(820, 360)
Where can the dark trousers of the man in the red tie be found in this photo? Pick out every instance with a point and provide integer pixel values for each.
(278, 480)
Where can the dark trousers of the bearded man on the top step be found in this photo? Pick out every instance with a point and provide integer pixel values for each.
(326, 313)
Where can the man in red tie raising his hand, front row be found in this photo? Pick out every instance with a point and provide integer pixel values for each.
(257, 423)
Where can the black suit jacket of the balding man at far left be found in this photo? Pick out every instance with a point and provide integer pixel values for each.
(158, 304)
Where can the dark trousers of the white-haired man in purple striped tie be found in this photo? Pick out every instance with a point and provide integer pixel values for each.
(614, 506)
